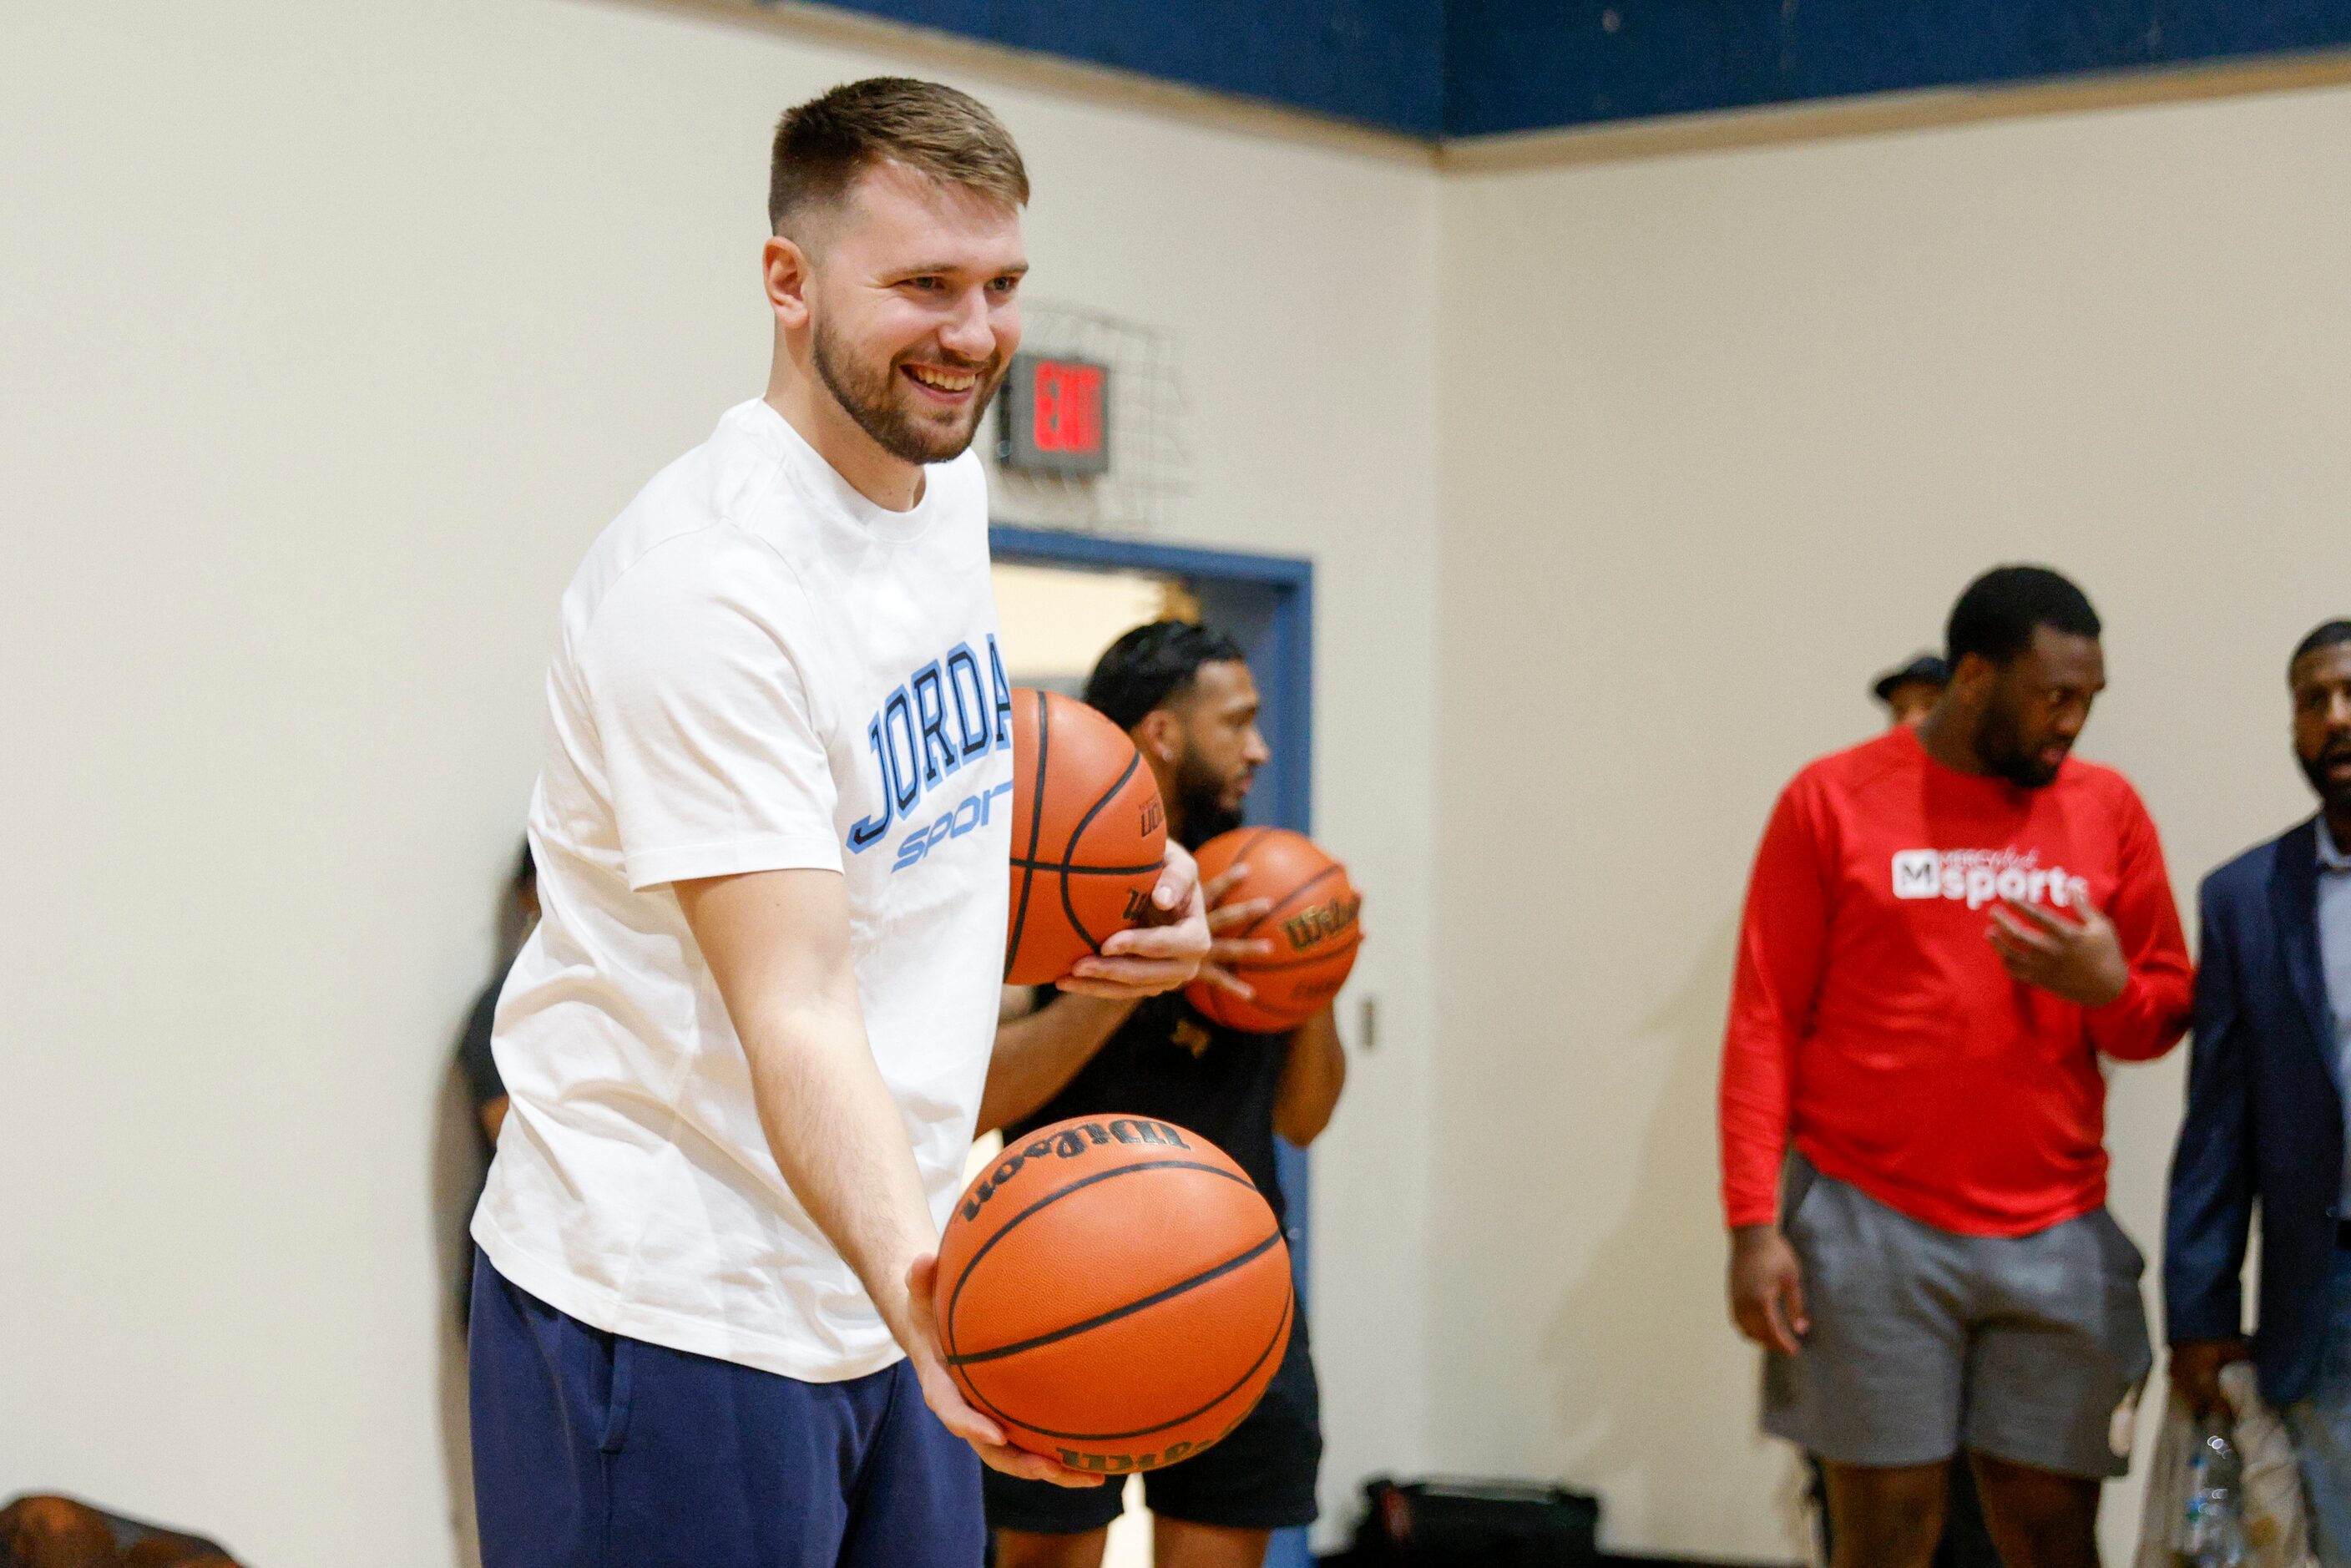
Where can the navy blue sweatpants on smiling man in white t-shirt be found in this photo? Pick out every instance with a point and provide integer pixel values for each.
(601, 1452)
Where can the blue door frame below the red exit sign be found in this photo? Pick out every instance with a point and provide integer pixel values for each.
(1266, 603)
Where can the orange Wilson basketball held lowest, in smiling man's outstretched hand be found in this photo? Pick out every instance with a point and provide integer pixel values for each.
(1116, 1294)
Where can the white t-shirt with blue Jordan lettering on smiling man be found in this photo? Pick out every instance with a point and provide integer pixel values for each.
(758, 669)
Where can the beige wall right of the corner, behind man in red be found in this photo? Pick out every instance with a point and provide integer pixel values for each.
(1722, 436)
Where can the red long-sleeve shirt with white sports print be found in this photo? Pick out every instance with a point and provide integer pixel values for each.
(1873, 1024)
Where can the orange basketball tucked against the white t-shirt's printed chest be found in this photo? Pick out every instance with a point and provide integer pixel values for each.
(1087, 836)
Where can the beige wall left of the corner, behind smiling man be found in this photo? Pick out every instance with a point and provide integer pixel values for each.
(335, 337)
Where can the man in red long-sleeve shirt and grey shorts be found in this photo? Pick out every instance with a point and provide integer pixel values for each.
(1945, 932)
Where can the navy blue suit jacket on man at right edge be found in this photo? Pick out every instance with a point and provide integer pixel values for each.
(2265, 1120)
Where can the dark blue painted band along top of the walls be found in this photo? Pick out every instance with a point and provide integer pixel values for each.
(1478, 67)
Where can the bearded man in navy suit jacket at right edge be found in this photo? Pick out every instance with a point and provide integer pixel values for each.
(2265, 1118)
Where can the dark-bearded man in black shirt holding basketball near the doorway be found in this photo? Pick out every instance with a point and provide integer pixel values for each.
(1191, 706)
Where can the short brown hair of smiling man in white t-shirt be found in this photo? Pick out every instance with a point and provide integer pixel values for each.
(826, 145)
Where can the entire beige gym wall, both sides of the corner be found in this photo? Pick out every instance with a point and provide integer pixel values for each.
(335, 335)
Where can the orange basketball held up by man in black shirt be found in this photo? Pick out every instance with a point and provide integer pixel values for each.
(1313, 925)
